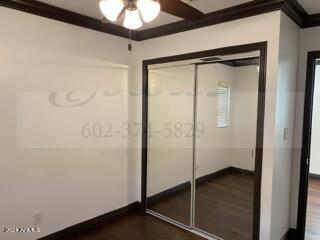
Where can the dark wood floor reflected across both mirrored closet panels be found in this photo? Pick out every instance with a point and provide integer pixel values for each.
(224, 206)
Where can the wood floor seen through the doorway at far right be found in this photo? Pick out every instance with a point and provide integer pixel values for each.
(313, 210)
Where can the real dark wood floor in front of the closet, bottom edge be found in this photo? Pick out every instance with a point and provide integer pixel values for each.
(138, 226)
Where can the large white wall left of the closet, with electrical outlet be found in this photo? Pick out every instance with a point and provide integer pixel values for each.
(46, 164)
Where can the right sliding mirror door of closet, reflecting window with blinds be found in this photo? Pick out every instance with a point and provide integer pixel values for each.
(227, 103)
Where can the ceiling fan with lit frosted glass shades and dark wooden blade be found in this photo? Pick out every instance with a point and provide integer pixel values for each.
(148, 9)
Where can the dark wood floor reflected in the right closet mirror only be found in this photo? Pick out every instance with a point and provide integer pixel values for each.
(224, 206)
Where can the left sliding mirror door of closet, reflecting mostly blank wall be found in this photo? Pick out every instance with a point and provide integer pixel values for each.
(170, 142)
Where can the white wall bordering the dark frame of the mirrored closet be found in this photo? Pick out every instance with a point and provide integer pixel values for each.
(248, 30)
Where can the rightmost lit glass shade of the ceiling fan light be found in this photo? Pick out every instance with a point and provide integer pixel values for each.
(149, 9)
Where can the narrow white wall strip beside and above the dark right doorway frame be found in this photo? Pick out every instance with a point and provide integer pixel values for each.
(309, 41)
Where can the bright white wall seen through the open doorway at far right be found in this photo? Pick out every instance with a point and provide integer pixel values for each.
(315, 142)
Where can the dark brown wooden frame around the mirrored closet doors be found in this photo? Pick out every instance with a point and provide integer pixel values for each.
(259, 46)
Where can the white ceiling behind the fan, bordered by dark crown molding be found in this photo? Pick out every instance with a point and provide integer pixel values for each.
(91, 8)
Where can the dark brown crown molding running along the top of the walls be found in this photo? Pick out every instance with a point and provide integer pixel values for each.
(290, 7)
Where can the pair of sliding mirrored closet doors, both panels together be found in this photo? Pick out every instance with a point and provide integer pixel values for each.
(203, 144)
